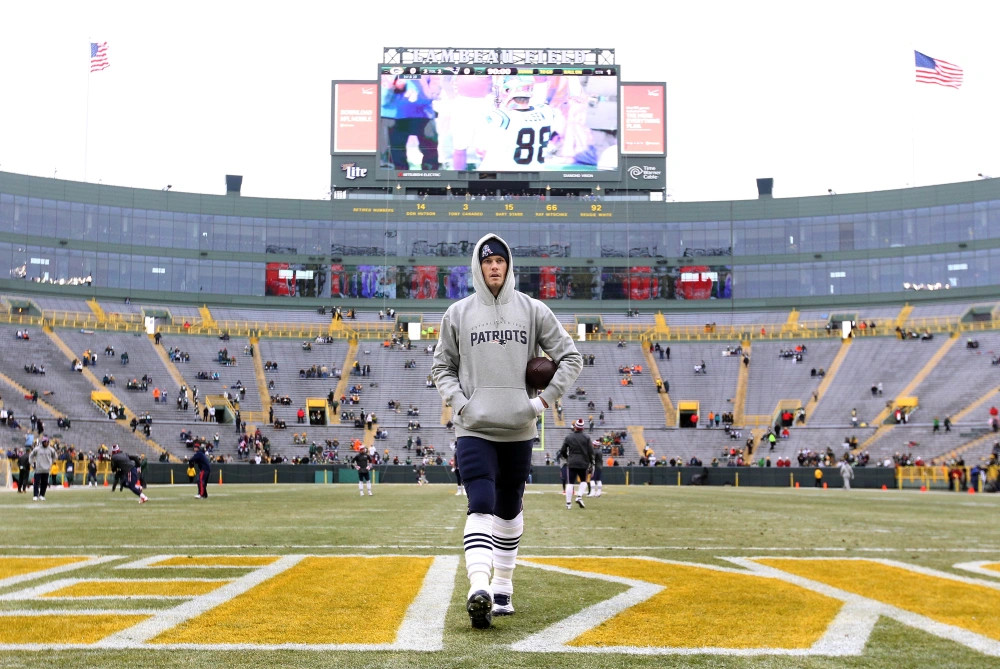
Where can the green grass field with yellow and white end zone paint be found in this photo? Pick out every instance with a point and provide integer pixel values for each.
(643, 577)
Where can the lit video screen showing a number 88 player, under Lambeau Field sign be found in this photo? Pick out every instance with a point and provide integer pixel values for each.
(498, 119)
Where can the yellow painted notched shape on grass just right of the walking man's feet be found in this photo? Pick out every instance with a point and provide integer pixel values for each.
(703, 607)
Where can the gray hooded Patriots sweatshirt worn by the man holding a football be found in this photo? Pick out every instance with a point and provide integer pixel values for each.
(483, 350)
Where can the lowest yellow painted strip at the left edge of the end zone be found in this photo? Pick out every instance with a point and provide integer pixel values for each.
(63, 629)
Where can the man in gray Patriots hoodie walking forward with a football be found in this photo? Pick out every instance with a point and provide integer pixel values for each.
(479, 365)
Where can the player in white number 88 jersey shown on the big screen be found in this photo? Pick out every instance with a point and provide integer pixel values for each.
(519, 131)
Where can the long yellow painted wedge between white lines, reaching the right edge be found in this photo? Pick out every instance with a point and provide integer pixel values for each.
(945, 600)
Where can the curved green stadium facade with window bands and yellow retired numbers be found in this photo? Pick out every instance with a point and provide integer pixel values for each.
(579, 253)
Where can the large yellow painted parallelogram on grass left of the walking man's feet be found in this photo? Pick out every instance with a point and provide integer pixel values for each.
(321, 600)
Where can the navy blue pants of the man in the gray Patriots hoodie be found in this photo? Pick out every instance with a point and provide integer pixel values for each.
(494, 474)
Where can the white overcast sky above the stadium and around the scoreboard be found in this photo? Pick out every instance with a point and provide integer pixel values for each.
(817, 95)
